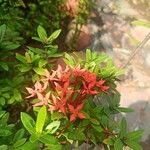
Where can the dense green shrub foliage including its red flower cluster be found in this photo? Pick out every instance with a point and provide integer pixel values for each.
(45, 105)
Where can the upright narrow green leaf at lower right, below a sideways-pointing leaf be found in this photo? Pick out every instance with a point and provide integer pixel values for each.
(123, 128)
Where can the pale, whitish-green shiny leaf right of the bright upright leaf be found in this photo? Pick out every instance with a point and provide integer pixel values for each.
(53, 126)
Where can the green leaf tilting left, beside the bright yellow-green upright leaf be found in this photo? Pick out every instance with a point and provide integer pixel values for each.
(28, 122)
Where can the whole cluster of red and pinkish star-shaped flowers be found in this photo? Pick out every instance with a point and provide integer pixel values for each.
(66, 90)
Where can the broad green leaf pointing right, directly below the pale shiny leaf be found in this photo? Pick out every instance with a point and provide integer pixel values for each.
(48, 139)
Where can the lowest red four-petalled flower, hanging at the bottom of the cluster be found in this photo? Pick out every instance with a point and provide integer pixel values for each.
(75, 112)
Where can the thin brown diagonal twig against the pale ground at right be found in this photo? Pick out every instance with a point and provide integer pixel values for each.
(139, 47)
